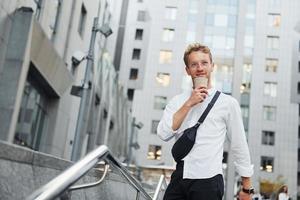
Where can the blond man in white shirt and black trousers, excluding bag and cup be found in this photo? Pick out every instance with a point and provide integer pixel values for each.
(199, 175)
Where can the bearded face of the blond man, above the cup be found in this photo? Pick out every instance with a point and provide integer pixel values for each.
(199, 64)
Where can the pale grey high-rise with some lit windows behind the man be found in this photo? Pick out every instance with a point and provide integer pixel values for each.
(252, 48)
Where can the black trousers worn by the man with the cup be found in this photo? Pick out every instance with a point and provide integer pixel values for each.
(194, 189)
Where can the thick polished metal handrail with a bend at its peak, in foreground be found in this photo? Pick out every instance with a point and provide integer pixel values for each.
(62, 182)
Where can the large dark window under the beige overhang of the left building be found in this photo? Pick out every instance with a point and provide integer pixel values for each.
(33, 116)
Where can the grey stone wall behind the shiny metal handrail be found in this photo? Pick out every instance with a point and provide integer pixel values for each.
(23, 171)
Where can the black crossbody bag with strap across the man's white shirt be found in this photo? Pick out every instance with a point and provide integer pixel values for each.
(185, 143)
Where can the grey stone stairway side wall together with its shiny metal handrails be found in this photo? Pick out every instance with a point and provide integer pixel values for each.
(27, 174)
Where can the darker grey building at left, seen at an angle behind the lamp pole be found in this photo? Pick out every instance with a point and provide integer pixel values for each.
(44, 55)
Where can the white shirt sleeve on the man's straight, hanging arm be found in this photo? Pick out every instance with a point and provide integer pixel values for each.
(239, 145)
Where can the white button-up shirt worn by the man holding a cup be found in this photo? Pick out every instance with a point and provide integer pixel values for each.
(205, 158)
